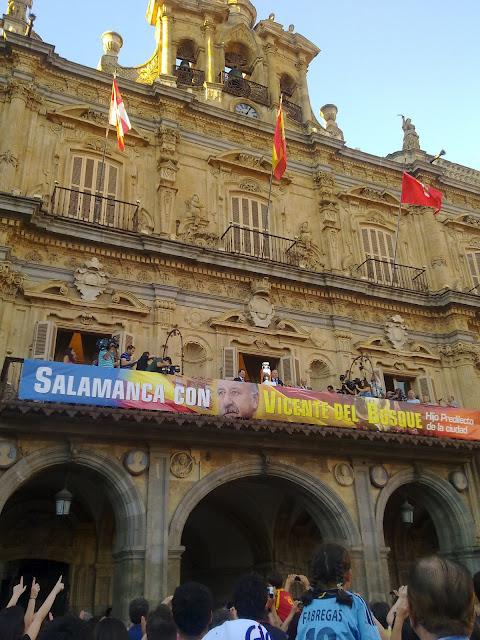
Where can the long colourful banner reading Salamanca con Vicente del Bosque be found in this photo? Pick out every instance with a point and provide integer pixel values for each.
(126, 388)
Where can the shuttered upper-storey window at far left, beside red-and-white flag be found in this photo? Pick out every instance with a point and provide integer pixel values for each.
(94, 186)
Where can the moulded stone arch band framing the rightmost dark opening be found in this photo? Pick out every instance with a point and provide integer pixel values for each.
(453, 521)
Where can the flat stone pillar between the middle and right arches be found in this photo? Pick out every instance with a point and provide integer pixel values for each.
(376, 583)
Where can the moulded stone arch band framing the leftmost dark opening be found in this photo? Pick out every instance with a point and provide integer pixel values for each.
(126, 501)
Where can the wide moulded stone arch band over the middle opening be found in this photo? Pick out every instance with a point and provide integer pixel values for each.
(321, 498)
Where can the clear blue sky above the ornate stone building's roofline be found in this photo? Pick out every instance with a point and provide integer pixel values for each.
(378, 58)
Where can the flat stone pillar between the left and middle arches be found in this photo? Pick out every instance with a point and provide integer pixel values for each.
(156, 549)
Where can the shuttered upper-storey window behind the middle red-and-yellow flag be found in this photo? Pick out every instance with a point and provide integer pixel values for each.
(251, 216)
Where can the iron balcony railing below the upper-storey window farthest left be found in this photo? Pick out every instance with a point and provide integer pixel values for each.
(89, 207)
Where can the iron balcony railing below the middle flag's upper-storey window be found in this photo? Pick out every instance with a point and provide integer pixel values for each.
(259, 244)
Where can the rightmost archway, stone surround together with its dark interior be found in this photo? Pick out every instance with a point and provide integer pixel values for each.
(442, 522)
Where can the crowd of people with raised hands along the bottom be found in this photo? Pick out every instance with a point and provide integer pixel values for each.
(438, 603)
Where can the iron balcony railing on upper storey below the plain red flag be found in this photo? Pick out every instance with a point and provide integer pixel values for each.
(394, 275)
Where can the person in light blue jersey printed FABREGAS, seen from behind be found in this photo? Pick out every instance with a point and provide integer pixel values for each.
(330, 612)
